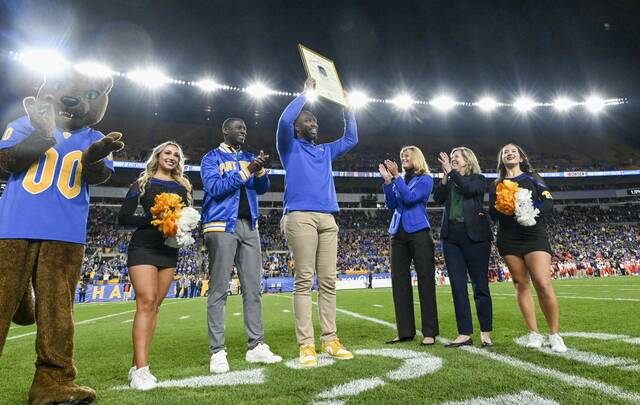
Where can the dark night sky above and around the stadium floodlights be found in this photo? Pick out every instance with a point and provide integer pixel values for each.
(425, 47)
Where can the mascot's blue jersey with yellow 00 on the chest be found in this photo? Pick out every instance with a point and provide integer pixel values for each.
(48, 200)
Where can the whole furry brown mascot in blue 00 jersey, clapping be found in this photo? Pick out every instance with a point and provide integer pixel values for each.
(52, 155)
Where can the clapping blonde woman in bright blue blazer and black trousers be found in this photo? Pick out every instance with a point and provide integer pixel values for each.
(411, 241)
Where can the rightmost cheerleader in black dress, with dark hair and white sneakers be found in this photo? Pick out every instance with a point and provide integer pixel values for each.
(526, 249)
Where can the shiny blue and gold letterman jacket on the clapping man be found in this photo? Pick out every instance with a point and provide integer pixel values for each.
(224, 173)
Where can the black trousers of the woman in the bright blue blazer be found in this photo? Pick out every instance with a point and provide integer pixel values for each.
(417, 248)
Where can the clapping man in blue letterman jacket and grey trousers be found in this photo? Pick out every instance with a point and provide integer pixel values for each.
(232, 180)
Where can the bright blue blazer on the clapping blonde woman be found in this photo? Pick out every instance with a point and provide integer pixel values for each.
(409, 202)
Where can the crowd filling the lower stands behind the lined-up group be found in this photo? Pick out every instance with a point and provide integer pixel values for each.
(587, 241)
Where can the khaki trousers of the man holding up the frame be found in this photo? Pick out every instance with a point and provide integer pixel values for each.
(313, 239)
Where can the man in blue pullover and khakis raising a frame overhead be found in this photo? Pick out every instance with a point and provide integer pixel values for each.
(308, 223)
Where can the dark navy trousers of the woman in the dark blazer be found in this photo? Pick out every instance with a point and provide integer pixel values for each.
(463, 256)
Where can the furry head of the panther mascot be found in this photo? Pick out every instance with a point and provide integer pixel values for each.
(79, 100)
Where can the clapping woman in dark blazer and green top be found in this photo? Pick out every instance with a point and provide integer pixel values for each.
(466, 241)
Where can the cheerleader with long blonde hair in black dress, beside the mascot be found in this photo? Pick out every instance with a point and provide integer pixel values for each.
(151, 263)
